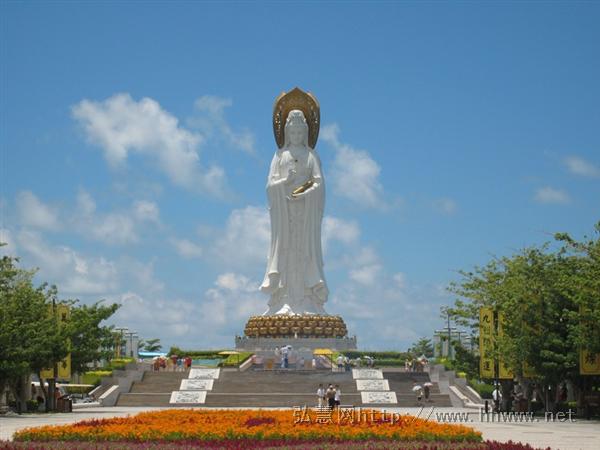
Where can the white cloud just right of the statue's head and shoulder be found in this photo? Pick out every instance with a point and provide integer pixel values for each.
(355, 175)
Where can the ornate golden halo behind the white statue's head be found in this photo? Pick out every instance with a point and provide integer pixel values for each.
(305, 102)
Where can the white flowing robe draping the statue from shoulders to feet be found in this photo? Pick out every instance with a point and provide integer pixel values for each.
(278, 273)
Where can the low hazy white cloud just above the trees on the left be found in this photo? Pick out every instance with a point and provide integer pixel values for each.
(74, 273)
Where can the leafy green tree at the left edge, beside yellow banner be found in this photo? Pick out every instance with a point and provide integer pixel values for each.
(31, 337)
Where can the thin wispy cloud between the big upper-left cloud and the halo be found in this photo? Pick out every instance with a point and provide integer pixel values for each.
(212, 121)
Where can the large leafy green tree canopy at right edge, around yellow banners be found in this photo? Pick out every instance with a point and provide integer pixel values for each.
(550, 299)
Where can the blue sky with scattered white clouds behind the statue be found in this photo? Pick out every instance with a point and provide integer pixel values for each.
(136, 137)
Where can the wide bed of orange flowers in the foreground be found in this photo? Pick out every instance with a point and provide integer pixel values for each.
(228, 425)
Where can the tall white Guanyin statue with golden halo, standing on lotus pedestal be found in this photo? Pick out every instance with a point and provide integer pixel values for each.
(294, 277)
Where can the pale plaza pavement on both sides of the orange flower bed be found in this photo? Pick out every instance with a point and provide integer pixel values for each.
(577, 435)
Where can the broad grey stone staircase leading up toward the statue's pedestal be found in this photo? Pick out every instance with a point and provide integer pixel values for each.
(275, 388)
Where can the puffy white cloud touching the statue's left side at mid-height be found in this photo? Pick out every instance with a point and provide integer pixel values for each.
(246, 238)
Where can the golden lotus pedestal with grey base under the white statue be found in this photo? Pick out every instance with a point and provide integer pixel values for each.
(301, 331)
